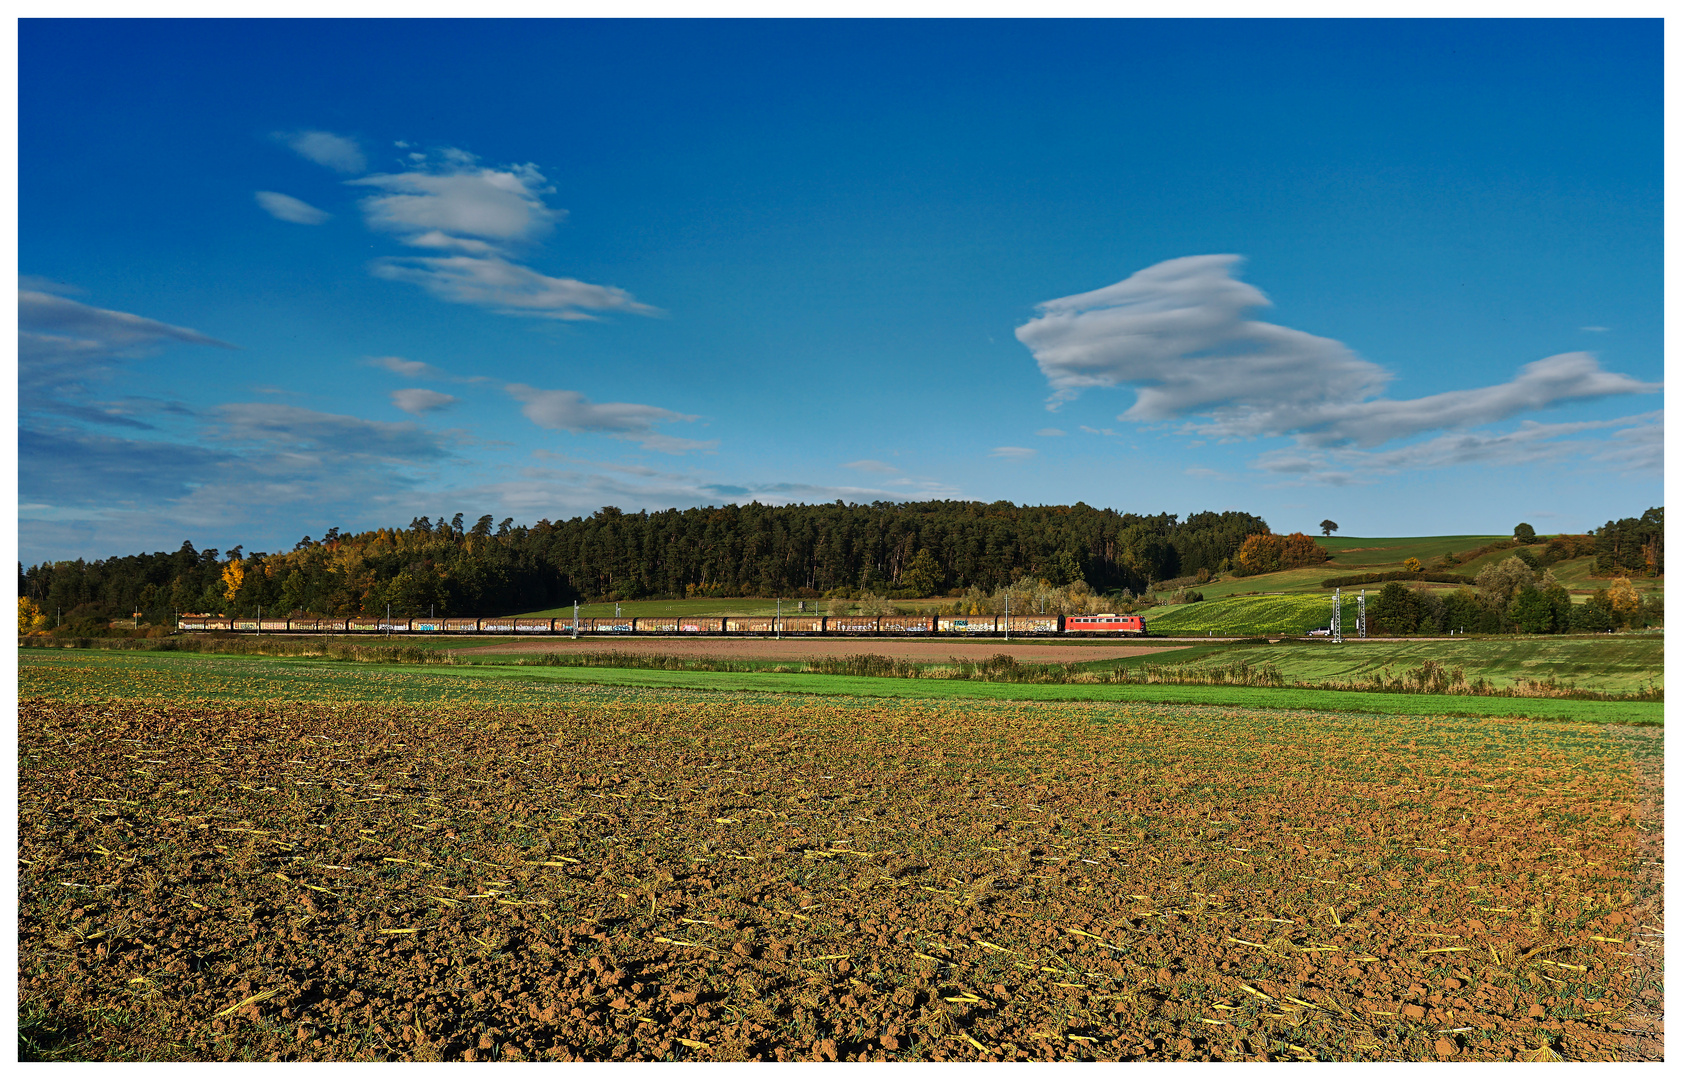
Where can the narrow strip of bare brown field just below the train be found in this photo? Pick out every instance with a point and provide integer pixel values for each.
(1025, 650)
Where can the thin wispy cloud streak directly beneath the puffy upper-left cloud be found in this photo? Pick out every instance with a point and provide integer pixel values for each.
(509, 287)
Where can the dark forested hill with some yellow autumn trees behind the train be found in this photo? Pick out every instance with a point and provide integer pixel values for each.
(909, 549)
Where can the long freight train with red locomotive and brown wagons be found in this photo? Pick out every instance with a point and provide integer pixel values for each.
(790, 627)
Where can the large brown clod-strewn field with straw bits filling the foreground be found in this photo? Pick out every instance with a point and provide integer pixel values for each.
(655, 876)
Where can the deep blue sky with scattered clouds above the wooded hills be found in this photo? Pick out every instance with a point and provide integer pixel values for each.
(283, 277)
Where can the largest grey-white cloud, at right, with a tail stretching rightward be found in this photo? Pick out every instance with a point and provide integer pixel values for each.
(1178, 336)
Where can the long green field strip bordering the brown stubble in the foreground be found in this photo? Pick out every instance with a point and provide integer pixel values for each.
(80, 675)
